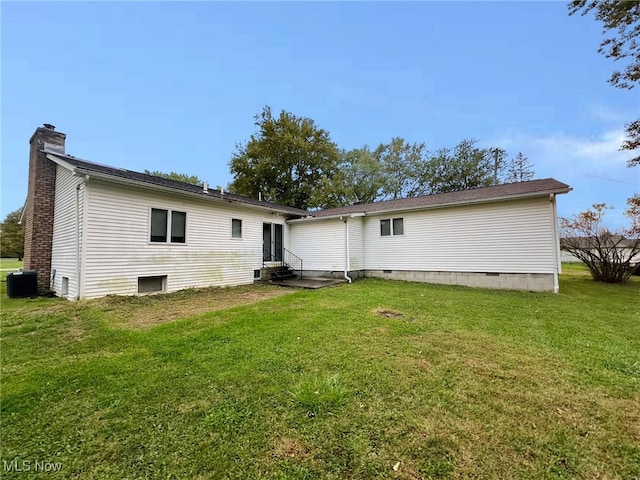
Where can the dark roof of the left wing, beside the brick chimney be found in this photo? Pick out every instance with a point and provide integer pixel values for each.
(86, 167)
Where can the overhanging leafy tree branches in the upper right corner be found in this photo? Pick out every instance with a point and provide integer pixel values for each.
(621, 20)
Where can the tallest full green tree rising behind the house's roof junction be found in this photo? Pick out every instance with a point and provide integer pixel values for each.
(289, 160)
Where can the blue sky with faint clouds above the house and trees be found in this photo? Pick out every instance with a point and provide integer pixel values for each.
(174, 86)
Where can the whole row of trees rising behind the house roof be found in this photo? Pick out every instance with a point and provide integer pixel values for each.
(292, 161)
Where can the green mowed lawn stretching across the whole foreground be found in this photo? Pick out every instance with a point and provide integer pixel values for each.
(377, 379)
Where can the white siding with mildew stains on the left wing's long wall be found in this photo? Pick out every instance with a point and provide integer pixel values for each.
(119, 216)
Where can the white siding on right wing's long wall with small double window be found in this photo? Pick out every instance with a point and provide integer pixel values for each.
(509, 237)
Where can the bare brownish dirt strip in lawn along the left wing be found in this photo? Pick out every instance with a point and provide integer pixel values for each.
(151, 310)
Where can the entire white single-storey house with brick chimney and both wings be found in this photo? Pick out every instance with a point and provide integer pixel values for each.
(93, 230)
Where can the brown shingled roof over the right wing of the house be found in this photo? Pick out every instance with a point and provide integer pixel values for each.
(476, 195)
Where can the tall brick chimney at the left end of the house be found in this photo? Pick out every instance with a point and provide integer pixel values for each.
(38, 229)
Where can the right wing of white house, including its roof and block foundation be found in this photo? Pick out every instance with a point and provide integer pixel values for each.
(498, 237)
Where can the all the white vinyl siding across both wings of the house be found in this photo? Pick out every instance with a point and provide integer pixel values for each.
(112, 226)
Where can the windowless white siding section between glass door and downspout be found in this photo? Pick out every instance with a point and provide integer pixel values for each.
(320, 244)
